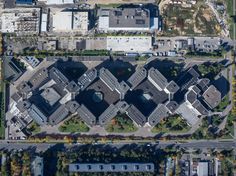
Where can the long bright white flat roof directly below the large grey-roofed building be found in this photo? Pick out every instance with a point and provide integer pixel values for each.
(129, 43)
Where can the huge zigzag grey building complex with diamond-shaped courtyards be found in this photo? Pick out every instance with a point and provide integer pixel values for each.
(147, 97)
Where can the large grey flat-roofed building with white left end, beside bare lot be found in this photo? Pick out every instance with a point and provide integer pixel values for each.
(127, 19)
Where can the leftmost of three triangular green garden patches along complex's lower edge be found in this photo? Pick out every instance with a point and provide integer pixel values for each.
(74, 125)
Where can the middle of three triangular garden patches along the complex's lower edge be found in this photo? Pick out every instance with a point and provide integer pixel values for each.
(121, 124)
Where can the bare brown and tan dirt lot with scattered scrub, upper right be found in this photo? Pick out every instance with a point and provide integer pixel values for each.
(196, 19)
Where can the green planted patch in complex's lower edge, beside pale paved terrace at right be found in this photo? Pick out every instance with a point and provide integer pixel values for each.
(171, 124)
